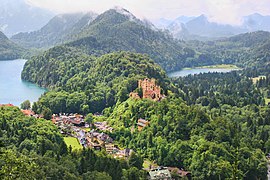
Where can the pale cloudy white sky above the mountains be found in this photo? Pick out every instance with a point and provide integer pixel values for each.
(221, 11)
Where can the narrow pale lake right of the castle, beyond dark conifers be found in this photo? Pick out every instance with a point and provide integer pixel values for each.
(186, 72)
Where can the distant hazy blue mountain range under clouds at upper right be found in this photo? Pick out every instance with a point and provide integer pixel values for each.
(201, 28)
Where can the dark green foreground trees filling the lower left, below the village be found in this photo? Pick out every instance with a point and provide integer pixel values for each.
(34, 149)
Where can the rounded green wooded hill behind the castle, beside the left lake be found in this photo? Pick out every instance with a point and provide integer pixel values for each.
(83, 83)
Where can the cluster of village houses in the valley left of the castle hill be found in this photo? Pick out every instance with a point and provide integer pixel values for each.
(74, 125)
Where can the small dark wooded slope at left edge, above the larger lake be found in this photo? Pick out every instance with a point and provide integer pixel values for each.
(8, 49)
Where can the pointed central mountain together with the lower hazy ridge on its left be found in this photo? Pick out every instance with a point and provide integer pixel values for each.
(114, 30)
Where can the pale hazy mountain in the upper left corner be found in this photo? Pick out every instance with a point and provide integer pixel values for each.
(18, 16)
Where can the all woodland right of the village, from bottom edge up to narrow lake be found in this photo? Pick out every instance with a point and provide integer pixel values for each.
(224, 135)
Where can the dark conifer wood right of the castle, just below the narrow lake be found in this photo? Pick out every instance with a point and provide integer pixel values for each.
(215, 89)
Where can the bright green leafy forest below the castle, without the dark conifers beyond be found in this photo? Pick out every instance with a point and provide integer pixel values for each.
(224, 142)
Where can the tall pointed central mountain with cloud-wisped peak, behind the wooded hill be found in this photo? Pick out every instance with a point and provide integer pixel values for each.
(116, 30)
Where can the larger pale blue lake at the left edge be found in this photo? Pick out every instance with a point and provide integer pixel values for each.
(14, 90)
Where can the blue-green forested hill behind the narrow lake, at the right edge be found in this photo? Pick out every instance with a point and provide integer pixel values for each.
(245, 50)
